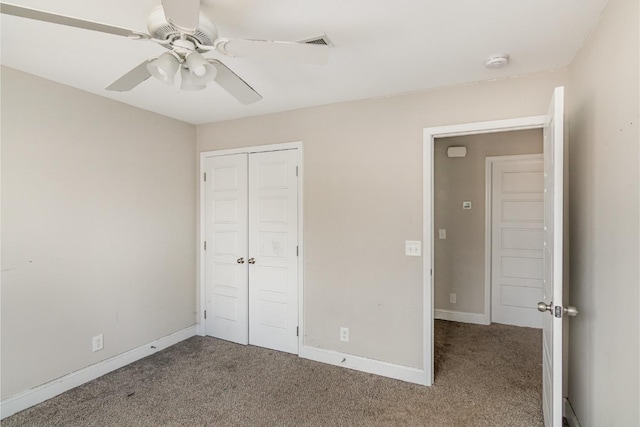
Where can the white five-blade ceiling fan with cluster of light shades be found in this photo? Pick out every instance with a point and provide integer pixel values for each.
(187, 33)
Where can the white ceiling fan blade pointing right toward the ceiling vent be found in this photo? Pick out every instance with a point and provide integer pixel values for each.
(292, 51)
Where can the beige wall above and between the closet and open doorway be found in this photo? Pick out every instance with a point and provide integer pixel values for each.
(363, 199)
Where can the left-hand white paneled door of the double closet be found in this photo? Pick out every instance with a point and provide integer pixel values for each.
(226, 252)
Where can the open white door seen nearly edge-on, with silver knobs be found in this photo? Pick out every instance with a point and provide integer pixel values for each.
(552, 282)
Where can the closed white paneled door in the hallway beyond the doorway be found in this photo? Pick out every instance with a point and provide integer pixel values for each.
(517, 210)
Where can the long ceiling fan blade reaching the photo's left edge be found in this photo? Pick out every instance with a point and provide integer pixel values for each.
(24, 12)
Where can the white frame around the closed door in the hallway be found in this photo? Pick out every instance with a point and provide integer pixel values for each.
(488, 225)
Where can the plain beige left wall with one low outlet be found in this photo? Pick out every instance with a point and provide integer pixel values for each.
(98, 228)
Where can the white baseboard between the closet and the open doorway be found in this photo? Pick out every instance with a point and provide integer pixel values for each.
(358, 363)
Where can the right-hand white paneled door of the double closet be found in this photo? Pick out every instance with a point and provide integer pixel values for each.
(273, 241)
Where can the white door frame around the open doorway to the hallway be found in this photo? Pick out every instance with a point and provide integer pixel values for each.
(429, 136)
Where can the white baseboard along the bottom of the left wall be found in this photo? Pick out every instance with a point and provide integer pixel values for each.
(58, 386)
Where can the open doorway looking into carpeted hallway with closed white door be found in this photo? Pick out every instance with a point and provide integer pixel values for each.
(474, 195)
